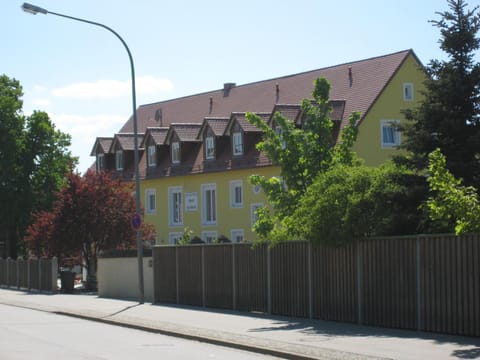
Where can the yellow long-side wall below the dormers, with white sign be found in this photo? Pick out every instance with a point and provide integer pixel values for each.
(228, 218)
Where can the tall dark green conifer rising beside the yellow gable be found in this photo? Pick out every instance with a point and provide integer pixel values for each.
(449, 116)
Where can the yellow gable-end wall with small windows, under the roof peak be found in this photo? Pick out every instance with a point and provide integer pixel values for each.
(389, 106)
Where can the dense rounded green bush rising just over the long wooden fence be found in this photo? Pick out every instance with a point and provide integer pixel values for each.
(346, 202)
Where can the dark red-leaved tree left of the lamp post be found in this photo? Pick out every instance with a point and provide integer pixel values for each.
(92, 213)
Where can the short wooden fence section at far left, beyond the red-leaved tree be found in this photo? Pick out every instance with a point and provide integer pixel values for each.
(32, 274)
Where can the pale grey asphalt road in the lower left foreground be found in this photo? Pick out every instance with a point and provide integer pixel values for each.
(30, 334)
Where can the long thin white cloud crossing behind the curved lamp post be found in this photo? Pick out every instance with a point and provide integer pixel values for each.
(112, 88)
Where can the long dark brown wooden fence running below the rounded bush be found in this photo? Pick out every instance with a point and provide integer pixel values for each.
(428, 283)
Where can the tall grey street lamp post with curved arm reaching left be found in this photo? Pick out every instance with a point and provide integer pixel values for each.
(33, 9)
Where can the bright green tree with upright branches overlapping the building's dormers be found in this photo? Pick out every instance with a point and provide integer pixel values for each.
(301, 154)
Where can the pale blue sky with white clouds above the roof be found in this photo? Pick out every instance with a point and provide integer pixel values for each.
(80, 73)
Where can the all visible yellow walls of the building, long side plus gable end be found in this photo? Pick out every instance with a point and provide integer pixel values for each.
(388, 107)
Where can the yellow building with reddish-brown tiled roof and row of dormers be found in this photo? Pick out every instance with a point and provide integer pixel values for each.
(197, 152)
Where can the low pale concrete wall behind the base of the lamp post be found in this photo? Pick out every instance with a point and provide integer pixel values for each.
(118, 277)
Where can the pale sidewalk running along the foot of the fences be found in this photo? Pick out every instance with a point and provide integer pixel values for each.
(277, 336)
